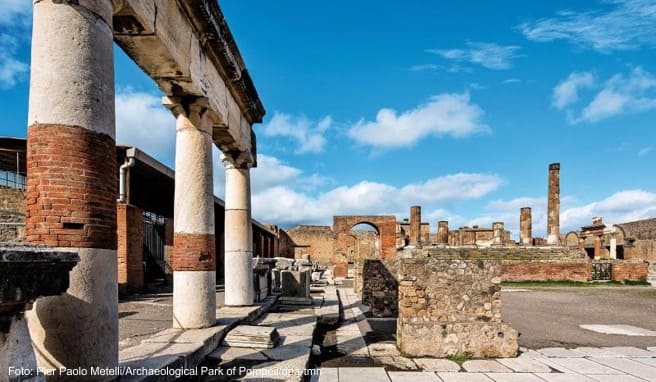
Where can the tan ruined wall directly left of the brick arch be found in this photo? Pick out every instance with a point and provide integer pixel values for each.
(319, 239)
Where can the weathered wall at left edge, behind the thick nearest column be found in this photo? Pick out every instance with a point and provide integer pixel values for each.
(12, 214)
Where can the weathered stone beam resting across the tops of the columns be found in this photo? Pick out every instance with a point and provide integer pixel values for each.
(188, 49)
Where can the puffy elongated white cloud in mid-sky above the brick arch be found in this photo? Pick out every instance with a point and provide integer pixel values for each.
(443, 115)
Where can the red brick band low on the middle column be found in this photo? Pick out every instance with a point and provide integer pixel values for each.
(194, 252)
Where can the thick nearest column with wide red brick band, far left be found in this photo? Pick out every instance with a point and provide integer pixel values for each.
(72, 179)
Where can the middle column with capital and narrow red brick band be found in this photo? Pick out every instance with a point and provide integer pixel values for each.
(194, 248)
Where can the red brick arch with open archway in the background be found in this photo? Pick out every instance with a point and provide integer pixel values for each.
(384, 225)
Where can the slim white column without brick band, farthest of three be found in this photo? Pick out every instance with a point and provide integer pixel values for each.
(238, 230)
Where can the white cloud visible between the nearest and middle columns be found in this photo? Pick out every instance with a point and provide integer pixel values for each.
(142, 121)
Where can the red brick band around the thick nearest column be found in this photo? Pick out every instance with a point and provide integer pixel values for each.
(71, 187)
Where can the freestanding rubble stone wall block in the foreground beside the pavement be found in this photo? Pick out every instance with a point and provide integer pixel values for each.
(451, 305)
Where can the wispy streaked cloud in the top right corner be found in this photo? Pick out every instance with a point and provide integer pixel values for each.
(629, 24)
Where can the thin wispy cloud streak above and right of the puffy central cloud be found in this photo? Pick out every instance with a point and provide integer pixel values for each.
(488, 55)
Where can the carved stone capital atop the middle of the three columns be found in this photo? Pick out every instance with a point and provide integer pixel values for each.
(196, 109)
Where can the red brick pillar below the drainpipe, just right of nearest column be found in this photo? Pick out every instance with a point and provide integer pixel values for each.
(130, 248)
